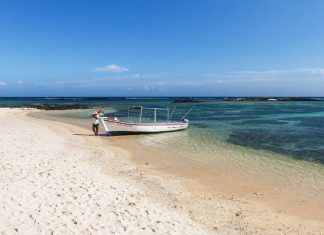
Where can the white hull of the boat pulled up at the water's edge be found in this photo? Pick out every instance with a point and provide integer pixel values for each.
(123, 127)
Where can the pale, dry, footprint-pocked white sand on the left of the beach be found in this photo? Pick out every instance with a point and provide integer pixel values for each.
(46, 187)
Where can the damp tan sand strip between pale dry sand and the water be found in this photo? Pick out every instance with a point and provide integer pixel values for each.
(224, 199)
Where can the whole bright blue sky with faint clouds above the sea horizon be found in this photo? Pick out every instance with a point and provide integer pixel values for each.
(162, 48)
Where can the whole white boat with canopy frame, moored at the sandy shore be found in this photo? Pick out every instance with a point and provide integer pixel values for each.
(113, 124)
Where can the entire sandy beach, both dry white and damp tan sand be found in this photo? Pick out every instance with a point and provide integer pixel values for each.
(193, 208)
